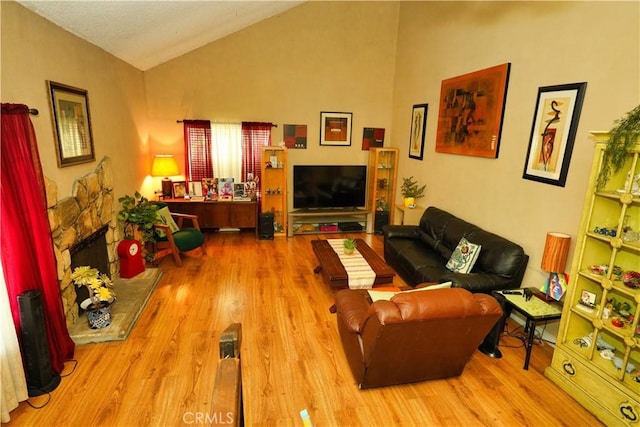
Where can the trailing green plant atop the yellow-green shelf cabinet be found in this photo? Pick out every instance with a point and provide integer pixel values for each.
(624, 133)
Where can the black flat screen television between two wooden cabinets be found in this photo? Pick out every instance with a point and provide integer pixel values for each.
(329, 186)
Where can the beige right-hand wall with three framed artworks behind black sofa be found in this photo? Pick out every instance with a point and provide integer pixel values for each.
(547, 43)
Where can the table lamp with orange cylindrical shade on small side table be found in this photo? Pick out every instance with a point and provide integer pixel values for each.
(554, 258)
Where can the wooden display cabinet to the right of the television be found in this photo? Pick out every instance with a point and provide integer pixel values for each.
(382, 171)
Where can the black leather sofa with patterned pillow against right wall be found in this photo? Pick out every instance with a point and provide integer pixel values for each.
(419, 253)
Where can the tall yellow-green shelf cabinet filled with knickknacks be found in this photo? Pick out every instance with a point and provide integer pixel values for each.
(606, 384)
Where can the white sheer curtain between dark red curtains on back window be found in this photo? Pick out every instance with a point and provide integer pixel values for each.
(226, 142)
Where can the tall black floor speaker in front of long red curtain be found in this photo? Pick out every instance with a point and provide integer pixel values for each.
(40, 377)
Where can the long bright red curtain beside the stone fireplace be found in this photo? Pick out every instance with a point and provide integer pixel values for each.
(27, 248)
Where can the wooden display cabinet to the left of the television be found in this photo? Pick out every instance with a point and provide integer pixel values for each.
(273, 186)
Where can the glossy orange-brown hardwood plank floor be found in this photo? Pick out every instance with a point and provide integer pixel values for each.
(291, 357)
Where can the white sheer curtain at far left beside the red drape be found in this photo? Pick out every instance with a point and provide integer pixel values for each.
(13, 384)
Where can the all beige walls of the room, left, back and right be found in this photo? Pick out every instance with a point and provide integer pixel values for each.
(374, 59)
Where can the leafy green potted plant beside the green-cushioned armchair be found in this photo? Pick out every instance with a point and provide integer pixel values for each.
(139, 215)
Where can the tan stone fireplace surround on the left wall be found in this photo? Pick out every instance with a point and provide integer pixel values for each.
(76, 219)
